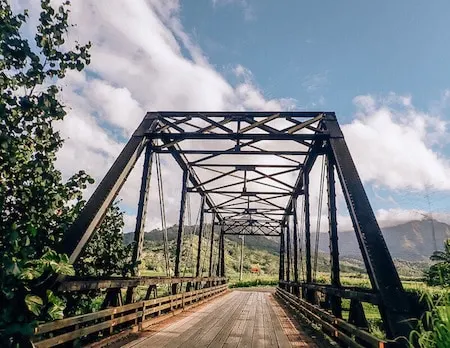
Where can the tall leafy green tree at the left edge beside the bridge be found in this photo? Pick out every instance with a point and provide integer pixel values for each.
(36, 205)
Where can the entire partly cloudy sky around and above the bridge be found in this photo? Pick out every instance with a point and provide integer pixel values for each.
(381, 66)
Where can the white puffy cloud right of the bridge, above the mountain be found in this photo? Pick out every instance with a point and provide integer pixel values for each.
(391, 143)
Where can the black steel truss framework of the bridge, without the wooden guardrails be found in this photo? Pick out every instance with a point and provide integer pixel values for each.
(250, 168)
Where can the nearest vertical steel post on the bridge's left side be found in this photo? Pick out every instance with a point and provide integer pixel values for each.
(142, 209)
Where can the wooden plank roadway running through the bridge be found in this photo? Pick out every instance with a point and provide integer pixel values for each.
(237, 319)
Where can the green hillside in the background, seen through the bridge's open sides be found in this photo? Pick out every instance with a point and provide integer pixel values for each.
(258, 251)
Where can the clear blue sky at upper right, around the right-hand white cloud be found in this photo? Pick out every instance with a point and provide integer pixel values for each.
(324, 53)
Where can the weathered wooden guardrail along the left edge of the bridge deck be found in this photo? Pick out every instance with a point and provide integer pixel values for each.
(139, 315)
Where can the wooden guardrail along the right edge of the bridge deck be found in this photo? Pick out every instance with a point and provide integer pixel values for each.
(343, 331)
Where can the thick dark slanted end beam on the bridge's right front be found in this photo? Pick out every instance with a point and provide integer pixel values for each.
(395, 309)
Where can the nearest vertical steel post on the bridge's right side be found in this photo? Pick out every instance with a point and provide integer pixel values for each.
(336, 303)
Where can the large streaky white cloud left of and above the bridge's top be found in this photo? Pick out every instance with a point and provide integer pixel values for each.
(142, 60)
